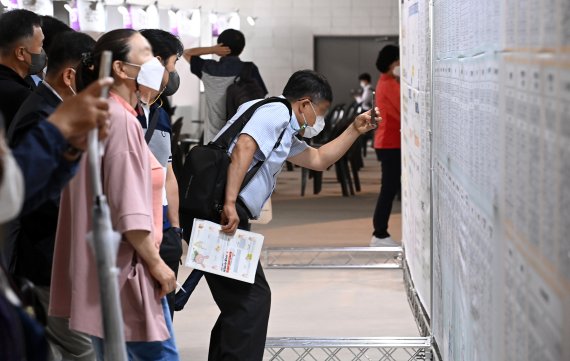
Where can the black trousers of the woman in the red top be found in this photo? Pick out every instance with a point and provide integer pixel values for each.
(391, 165)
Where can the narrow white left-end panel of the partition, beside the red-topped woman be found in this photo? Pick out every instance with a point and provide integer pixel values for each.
(415, 121)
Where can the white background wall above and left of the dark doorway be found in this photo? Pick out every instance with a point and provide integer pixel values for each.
(281, 41)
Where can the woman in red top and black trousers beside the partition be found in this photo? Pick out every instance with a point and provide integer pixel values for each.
(387, 141)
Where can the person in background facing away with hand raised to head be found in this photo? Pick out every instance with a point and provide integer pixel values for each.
(219, 75)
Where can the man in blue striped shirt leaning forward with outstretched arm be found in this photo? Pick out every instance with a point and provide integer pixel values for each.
(241, 329)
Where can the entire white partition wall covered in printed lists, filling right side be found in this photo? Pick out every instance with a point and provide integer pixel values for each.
(498, 106)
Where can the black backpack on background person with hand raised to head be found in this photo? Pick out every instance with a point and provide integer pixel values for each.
(243, 89)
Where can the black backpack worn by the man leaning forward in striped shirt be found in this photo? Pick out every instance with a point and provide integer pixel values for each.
(203, 177)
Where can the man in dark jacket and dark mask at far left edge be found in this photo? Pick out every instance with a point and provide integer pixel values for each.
(21, 54)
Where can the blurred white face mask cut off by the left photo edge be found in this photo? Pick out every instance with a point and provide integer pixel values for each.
(11, 189)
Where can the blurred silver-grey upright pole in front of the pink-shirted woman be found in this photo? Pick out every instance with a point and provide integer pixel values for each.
(105, 244)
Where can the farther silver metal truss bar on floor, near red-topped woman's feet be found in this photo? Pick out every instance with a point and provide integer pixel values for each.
(333, 257)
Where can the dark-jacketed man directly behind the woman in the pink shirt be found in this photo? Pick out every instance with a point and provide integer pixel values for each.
(33, 234)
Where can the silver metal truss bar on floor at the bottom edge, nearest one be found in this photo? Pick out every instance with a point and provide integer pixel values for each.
(356, 348)
